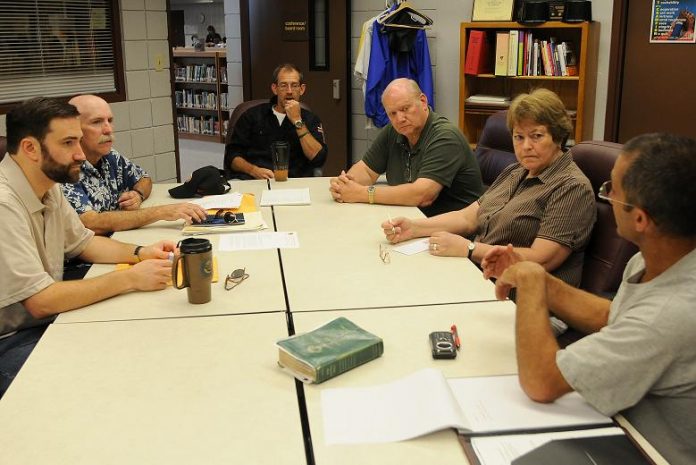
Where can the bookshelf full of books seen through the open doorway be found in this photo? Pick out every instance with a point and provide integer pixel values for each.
(200, 94)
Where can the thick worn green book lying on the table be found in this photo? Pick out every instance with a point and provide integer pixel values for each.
(328, 351)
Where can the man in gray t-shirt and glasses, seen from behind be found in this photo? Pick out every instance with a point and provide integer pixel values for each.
(639, 357)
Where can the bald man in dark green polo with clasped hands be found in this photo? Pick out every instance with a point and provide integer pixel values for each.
(427, 160)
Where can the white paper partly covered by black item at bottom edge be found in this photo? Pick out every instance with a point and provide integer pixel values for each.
(502, 450)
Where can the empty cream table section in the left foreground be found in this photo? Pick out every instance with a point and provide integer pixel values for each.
(176, 391)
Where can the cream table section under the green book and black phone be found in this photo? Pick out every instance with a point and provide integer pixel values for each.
(487, 334)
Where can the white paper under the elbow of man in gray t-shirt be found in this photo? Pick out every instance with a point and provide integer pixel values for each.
(497, 403)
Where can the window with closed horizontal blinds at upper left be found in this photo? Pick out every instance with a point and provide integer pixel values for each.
(58, 48)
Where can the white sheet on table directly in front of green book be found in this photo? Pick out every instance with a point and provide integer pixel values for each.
(406, 408)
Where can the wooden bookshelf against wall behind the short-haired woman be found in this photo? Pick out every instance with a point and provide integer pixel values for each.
(571, 89)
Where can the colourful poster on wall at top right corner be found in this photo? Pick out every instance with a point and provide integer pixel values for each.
(672, 21)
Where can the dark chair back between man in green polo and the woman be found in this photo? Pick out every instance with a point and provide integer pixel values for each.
(494, 151)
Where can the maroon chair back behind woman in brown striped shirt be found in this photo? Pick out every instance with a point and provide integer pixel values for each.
(607, 253)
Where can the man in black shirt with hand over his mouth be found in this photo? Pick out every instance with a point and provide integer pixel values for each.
(248, 152)
